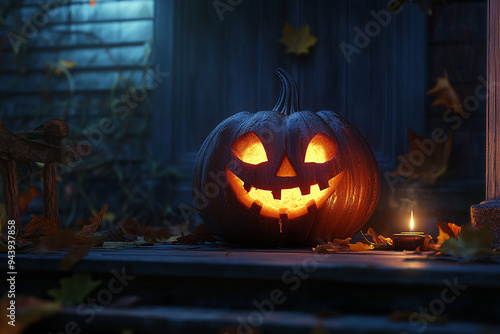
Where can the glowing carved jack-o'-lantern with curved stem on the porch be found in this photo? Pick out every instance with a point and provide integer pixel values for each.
(285, 177)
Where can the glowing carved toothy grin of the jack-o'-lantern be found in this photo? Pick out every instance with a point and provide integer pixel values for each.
(292, 203)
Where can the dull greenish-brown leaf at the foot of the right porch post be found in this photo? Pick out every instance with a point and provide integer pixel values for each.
(470, 245)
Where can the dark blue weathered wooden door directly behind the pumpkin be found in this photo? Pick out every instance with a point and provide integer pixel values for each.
(219, 68)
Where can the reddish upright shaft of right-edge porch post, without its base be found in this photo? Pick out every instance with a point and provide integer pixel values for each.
(493, 111)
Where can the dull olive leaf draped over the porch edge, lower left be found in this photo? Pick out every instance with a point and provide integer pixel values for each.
(74, 289)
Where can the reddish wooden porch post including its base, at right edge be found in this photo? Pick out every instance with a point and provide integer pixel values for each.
(488, 212)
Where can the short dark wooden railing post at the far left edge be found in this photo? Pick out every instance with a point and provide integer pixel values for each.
(9, 171)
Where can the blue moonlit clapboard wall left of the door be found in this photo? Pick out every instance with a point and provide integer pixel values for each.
(111, 44)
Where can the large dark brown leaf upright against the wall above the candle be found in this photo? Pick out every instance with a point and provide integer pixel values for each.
(430, 160)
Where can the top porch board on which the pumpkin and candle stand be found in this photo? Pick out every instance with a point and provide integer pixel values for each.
(212, 261)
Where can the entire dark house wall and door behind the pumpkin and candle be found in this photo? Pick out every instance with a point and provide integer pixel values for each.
(143, 168)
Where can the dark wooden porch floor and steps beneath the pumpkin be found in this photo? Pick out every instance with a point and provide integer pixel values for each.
(169, 288)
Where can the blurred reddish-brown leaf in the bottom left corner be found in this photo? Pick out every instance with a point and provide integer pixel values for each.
(29, 310)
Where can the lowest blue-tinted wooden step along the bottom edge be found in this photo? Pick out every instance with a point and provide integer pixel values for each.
(172, 319)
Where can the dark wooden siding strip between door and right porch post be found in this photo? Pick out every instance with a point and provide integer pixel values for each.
(457, 45)
